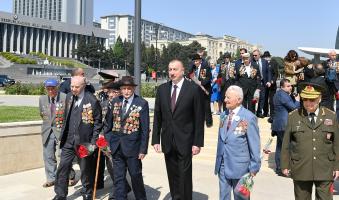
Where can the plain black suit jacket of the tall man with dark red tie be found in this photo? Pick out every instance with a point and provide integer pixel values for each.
(185, 126)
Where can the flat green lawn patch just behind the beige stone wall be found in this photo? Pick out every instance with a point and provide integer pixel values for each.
(18, 113)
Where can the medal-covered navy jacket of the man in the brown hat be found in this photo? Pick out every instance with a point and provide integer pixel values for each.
(136, 141)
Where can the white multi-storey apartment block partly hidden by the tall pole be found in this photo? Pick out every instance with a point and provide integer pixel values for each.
(123, 26)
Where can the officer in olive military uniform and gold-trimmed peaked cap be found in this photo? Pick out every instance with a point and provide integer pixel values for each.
(310, 147)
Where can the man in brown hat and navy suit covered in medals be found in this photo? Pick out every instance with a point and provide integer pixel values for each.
(128, 127)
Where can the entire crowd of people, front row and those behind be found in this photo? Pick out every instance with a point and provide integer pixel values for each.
(301, 111)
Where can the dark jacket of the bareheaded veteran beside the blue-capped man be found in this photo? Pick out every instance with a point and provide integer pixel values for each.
(86, 132)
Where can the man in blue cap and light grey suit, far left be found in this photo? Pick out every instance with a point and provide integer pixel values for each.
(51, 108)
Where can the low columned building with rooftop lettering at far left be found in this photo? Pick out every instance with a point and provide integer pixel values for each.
(22, 34)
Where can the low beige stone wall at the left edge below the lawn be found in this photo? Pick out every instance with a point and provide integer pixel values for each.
(20, 147)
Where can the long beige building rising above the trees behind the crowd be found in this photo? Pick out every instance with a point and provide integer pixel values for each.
(214, 46)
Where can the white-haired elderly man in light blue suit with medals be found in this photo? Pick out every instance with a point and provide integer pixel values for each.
(238, 149)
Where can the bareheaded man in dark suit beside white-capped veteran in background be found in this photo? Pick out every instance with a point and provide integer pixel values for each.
(265, 82)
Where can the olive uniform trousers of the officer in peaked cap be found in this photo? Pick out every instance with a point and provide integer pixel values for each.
(303, 190)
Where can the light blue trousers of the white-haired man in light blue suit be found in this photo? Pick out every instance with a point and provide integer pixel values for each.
(227, 185)
